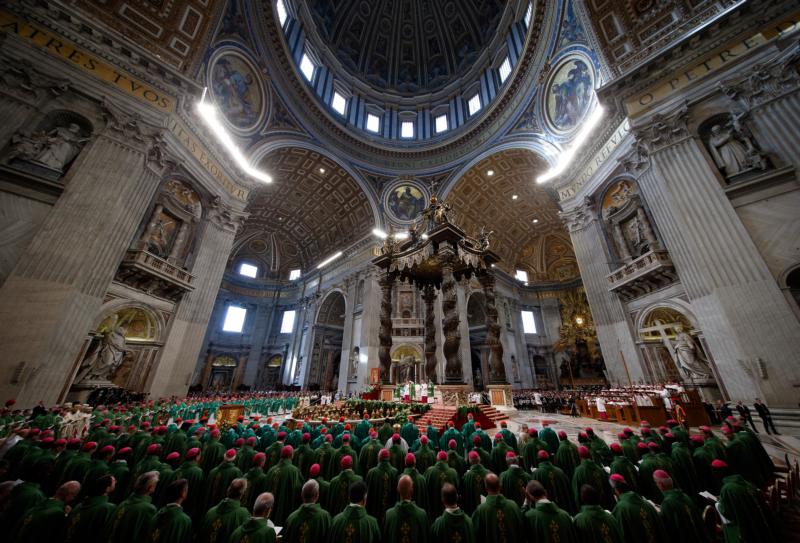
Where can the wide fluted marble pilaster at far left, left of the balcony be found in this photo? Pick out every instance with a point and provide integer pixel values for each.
(51, 299)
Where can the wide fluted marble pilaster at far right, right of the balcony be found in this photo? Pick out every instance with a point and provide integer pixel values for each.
(743, 314)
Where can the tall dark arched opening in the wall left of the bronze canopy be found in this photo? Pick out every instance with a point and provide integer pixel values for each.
(326, 352)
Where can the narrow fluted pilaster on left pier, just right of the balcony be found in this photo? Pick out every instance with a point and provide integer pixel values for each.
(185, 340)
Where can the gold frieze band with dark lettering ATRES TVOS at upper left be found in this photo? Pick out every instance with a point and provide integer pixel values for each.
(84, 61)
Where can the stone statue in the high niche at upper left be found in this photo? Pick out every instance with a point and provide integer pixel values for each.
(54, 149)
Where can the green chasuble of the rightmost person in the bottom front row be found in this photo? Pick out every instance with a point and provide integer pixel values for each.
(748, 520)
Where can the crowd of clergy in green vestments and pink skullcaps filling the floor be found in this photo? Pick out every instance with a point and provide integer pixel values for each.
(166, 472)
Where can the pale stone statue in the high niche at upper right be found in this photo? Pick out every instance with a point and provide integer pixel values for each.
(733, 150)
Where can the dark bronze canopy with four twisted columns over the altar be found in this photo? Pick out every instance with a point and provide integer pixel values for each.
(433, 258)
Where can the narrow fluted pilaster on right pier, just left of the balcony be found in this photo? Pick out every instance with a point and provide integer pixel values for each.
(614, 330)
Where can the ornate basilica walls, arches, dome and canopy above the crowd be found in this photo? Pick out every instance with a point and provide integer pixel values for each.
(342, 196)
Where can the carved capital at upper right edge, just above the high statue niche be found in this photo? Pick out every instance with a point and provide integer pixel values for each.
(766, 80)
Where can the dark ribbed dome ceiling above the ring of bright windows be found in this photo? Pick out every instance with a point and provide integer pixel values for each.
(409, 46)
